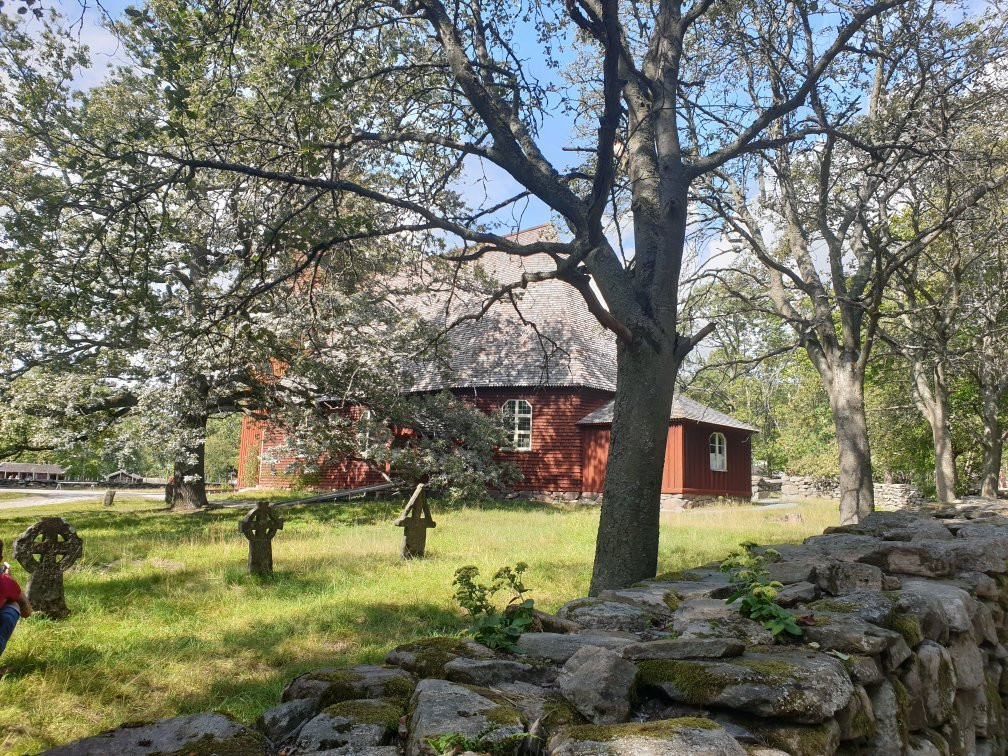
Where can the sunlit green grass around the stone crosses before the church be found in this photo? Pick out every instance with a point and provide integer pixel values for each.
(166, 621)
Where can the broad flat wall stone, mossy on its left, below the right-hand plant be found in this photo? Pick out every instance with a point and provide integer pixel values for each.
(804, 688)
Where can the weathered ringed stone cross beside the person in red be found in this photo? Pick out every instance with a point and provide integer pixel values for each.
(47, 551)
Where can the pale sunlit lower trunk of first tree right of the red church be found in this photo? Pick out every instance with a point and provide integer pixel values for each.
(845, 384)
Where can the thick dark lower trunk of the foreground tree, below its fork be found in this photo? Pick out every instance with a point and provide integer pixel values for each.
(627, 545)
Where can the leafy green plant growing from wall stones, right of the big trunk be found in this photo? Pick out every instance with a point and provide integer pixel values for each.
(758, 592)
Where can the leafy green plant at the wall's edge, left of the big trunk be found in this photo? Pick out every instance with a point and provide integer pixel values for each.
(495, 629)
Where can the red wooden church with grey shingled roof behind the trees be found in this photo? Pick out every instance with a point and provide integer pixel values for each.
(552, 368)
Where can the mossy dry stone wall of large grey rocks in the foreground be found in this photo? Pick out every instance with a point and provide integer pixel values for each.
(904, 653)
